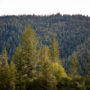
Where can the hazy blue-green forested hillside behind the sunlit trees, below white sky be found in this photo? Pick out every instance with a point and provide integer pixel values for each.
(72, 33)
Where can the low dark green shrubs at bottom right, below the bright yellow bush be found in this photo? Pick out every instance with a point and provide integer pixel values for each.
(74, 84)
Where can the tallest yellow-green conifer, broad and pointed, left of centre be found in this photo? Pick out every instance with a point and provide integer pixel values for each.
(28, 52)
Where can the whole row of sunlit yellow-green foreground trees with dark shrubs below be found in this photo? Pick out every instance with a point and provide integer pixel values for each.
(39, 67)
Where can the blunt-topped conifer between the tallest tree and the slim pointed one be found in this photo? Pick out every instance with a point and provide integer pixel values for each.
(46, 70)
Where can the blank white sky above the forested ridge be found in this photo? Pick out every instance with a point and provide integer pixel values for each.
(44, 7)
